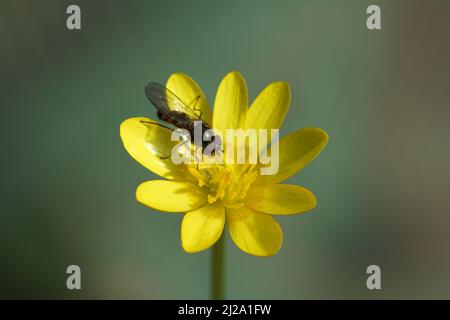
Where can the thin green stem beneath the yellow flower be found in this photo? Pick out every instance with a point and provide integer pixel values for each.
(218, 261)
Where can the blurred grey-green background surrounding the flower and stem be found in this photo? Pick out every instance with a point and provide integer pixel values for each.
(67, 184)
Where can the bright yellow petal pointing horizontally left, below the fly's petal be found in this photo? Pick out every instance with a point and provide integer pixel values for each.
(170, 196)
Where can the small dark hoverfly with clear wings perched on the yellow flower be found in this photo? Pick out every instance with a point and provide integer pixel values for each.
(172, 110)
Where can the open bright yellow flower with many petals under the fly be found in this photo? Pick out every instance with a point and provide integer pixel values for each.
(209, 195)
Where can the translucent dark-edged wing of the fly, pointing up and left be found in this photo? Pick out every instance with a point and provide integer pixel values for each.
(165, 100)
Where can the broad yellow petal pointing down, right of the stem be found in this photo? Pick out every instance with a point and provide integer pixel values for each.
(253, 232)
